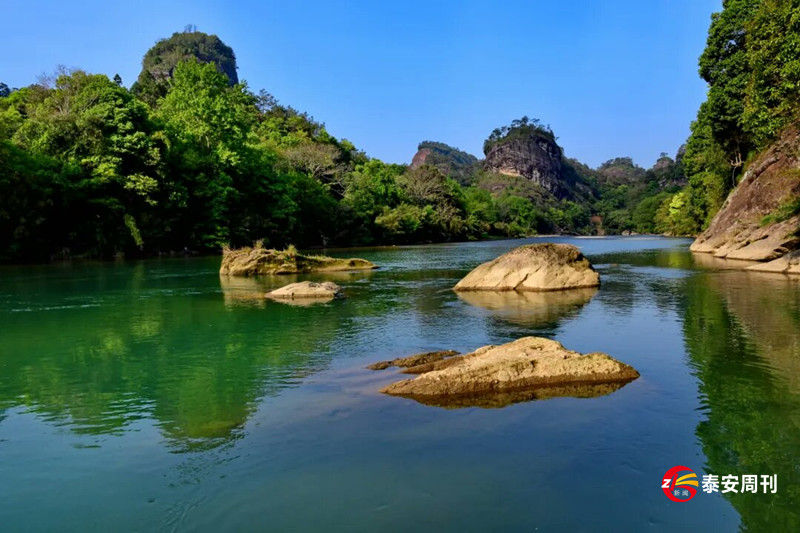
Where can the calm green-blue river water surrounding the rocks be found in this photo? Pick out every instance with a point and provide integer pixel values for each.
(156, 396)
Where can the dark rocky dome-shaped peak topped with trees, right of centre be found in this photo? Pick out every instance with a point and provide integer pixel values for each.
(532, 156)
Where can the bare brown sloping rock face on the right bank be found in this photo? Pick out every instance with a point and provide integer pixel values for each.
(760, 220)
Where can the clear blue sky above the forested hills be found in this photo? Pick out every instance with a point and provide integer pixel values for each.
(612, 77)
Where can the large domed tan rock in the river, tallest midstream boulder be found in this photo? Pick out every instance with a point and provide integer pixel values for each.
(534, 267)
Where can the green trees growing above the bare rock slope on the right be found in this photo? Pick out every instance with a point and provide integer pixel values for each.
(752, 66)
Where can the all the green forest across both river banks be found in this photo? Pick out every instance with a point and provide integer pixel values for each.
(189, 159)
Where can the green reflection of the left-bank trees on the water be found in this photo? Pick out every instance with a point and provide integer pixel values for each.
(152, 349)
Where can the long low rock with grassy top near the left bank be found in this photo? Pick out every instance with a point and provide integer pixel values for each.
(257, 260)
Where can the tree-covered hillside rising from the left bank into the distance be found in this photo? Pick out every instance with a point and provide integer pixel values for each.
(190, 158)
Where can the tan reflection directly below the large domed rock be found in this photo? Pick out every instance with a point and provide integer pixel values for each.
(531, 308)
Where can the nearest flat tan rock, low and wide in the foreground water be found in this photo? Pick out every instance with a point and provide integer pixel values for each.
(527, 364)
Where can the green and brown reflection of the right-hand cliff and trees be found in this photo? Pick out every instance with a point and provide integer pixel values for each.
(742, 332)
